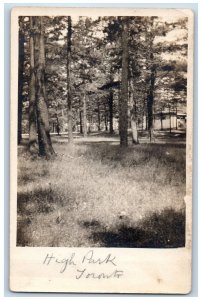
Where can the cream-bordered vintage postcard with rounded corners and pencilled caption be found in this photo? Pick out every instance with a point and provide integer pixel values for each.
(101, 150)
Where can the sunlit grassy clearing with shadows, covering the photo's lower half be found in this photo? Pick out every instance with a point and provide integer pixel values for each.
(96, 194)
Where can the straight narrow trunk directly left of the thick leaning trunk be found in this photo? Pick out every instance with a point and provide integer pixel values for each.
(33, 146)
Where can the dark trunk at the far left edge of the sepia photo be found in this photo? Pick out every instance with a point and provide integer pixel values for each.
(20, 81)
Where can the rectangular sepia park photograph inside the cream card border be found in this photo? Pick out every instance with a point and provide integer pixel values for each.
(102, 131)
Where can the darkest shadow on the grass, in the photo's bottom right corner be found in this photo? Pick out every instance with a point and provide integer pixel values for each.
(158, 230)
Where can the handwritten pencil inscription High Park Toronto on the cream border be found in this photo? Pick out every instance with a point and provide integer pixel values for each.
(82, 264)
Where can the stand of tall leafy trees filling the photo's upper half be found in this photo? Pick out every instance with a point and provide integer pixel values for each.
(91, 71)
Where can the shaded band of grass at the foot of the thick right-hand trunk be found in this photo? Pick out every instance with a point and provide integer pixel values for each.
(136, 155)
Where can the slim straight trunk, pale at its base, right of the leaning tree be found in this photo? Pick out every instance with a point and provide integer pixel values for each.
(69, 100)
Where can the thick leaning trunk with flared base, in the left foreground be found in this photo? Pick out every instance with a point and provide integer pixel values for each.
(44, 140)
